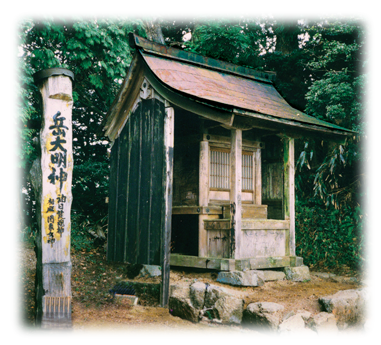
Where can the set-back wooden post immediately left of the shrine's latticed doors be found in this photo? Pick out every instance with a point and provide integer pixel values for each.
(203, 197)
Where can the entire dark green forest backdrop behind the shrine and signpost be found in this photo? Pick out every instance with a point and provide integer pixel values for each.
(325, 65)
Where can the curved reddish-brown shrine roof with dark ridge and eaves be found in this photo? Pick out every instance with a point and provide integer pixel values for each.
(234, 96)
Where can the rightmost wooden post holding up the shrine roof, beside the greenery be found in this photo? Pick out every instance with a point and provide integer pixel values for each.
(289, 190)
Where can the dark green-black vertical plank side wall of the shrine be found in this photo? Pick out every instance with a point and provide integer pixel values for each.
(137, 187)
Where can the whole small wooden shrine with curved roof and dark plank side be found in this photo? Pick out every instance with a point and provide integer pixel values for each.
(202, 163)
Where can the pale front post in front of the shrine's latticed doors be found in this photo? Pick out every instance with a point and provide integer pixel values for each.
(236, 189)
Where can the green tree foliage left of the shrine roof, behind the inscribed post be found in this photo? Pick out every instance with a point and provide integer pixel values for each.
(94, 46)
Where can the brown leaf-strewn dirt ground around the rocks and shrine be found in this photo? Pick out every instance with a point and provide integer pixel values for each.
(96, 316)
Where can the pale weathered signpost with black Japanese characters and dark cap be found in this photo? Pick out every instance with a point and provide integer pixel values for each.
(53, 277)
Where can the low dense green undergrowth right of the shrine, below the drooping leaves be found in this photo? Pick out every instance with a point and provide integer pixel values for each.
(327, 237)
